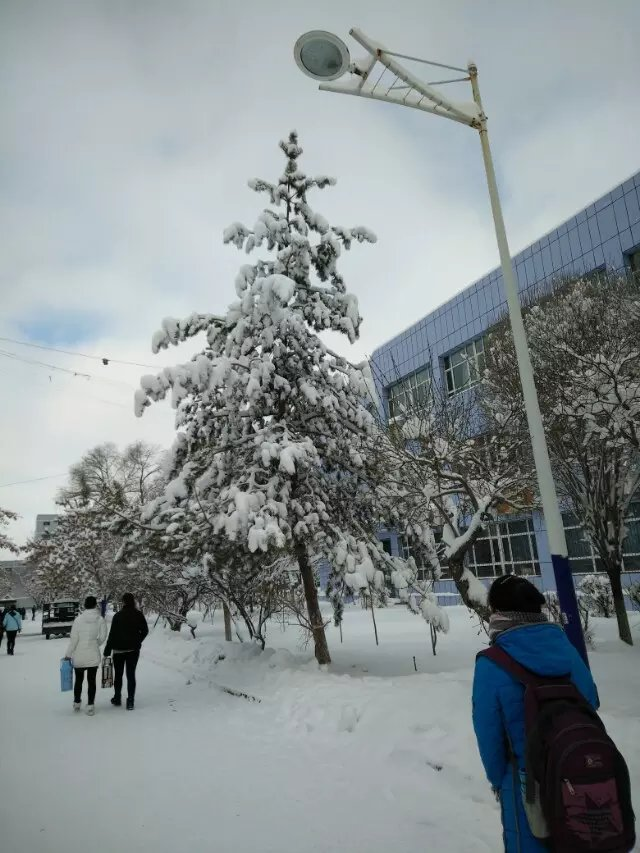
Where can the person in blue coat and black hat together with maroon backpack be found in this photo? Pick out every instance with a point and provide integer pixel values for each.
(527, 653)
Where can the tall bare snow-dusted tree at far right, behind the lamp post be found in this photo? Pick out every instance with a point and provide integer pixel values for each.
(584, 339)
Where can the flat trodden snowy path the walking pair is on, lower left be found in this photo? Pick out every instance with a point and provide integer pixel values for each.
(190, 768)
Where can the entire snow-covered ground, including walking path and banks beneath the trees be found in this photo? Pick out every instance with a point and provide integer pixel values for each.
(369, 756)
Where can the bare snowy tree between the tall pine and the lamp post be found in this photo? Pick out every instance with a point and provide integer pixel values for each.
(450, 467)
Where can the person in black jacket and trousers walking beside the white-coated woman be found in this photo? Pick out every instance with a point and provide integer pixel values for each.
(128, 630)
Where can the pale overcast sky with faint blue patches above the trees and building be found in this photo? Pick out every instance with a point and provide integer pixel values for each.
(130, 129)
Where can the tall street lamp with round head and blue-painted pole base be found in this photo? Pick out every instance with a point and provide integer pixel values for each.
(321, 56)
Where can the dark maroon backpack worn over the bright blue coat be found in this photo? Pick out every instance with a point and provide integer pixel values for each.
(576, 790)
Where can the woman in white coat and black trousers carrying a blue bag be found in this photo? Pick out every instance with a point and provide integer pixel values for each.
(88, 633)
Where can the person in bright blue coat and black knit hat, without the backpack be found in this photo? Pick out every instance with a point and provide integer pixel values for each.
(520, 628)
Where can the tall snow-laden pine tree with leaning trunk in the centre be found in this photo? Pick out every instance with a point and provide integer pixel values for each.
(274, 438)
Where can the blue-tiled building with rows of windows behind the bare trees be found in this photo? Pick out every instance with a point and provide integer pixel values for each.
(445, 345)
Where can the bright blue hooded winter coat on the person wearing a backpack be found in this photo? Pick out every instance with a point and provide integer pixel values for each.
(498, 716)
